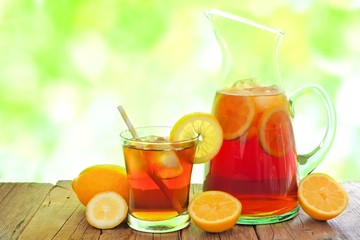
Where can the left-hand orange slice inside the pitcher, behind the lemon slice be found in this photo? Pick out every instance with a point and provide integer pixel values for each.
(235, 114)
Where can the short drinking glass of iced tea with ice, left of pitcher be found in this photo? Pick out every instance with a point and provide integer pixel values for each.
(159, 173)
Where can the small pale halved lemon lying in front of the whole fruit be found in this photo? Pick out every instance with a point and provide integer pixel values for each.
(106, 210)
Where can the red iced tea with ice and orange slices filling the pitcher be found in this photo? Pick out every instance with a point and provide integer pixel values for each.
(257, 162)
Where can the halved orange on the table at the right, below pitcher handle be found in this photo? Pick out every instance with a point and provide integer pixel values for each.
(321, 197)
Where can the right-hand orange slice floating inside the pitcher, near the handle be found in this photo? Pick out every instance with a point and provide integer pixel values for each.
(275, 131)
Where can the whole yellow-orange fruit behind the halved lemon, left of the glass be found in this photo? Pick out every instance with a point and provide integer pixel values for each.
(101, 178)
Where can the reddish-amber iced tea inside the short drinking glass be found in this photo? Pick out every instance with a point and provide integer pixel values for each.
(159, 178)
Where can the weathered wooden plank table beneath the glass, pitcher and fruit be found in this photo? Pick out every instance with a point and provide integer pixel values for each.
(44, 211)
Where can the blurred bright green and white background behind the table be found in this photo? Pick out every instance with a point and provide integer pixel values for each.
(65, 65)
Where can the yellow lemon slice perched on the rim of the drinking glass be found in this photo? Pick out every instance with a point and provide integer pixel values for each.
(204, 126)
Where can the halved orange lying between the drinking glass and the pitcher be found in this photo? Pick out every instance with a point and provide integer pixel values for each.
(214, 211)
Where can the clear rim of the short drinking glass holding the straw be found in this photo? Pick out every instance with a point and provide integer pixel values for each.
(142, 142)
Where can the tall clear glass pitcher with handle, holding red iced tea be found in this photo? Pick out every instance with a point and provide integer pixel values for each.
(258, 162)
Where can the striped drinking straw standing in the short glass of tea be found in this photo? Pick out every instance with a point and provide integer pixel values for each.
(152, 174)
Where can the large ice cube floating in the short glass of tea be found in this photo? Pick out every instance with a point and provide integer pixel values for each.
(165, 164)
